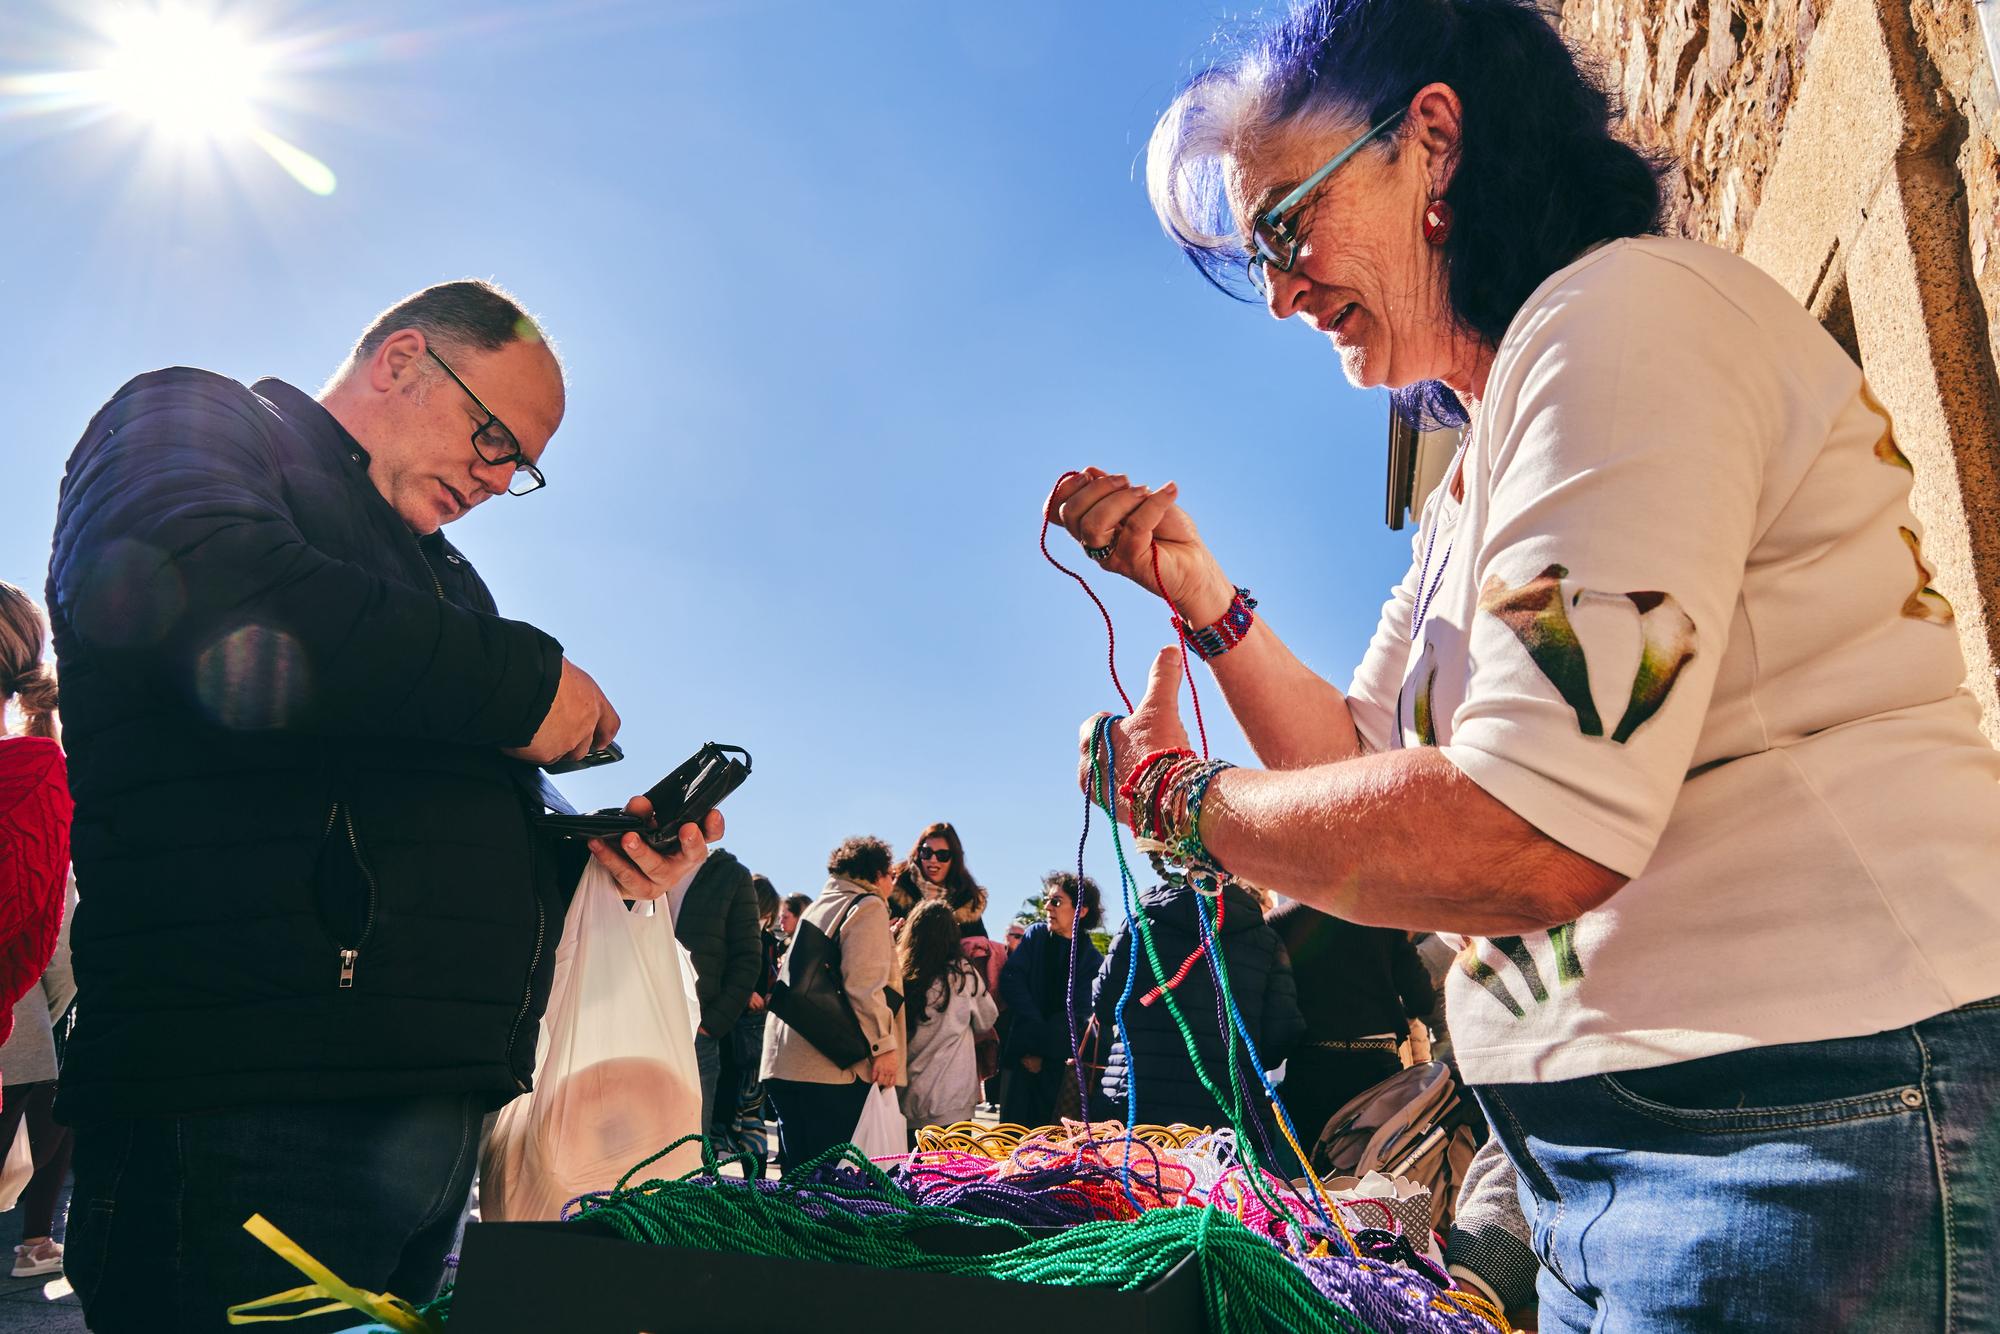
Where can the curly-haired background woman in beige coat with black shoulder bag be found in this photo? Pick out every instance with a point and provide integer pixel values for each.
(821, 1103)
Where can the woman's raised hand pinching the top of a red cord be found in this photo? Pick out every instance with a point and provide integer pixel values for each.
(1101, 509)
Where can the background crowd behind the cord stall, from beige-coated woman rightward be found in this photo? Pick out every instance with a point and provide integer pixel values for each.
(1029, 1025)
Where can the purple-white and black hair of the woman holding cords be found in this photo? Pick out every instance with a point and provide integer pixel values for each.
(1539, 175)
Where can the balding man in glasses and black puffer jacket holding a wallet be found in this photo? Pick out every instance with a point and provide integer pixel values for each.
(317, 931)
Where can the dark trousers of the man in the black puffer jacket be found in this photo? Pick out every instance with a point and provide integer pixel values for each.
(373, 1189)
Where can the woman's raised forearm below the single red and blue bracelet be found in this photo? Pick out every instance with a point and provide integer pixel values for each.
(1293, 717)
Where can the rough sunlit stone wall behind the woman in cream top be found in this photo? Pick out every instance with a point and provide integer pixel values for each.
(1851, 149)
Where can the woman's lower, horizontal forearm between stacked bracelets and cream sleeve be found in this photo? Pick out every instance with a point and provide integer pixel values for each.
(1399, 839)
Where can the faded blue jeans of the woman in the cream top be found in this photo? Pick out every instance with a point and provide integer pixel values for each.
(1841, 1185)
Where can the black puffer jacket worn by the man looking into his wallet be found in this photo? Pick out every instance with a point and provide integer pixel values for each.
(305, 867)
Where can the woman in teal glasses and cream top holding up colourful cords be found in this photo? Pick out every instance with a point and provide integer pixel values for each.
(1667, 723)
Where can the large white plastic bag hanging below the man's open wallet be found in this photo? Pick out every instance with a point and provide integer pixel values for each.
(615, 1075)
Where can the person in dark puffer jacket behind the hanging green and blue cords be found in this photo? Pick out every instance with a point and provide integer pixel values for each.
(1261, 981)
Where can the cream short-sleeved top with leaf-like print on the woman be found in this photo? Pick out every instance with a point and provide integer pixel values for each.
(1683, 627)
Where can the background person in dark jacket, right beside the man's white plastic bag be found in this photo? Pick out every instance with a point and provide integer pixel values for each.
(717, 923)
